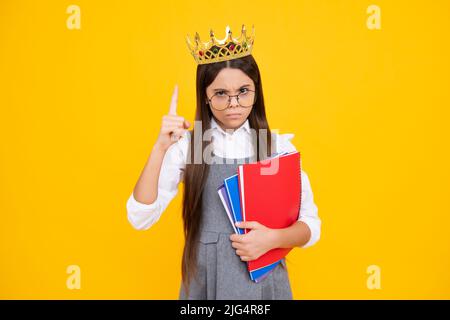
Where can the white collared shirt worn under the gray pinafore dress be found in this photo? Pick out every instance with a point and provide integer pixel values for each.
(235, 145)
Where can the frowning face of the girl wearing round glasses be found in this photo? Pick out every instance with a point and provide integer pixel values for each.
(232, 82)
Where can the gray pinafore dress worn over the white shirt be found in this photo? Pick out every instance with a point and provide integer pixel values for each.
(221, 273)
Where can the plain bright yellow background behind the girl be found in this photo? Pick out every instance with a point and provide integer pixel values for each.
(80, 110)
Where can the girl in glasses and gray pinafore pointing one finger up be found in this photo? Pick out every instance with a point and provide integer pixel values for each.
(230, 106)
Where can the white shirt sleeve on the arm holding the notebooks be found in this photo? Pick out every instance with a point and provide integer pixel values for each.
(308, 209)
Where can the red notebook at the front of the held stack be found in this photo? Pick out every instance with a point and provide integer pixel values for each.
(270, 192)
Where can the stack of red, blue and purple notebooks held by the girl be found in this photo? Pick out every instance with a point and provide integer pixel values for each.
(269, 192)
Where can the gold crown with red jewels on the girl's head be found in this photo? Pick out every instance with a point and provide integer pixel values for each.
(221, 50)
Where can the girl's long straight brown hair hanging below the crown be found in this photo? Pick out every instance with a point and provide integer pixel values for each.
(196, 173)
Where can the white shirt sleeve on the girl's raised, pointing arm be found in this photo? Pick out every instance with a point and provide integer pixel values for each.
(142, 216)
